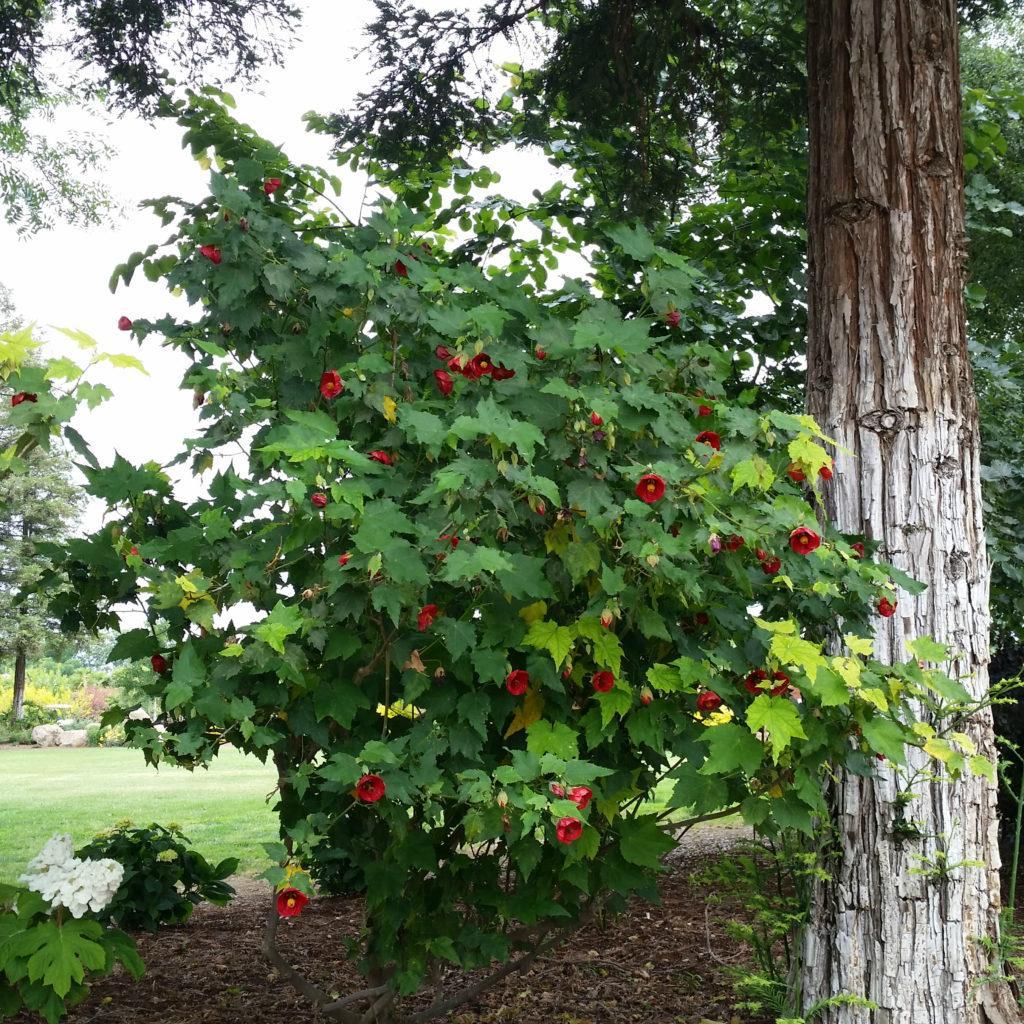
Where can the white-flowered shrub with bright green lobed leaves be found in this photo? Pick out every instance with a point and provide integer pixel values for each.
(51, 944)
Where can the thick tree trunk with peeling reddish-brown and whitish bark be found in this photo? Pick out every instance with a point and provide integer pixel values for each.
(889, 378)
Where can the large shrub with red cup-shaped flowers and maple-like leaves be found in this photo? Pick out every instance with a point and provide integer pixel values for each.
(481, 564)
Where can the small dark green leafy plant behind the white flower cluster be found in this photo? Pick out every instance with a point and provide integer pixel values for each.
(164, 878)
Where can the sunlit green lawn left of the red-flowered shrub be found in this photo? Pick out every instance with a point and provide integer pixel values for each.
(82, 792)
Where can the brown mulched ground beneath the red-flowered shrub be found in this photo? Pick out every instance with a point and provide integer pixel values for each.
(651, 966)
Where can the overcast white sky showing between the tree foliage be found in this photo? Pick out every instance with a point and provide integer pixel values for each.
(61, 276)
